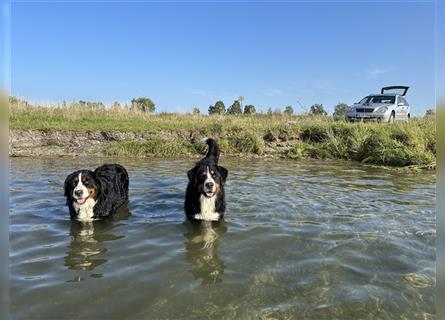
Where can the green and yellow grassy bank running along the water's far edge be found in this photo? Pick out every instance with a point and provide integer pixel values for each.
(401, 144)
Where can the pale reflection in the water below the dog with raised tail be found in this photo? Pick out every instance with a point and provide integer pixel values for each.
(201, 246)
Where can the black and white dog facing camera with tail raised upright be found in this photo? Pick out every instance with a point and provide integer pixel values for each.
(204, 199)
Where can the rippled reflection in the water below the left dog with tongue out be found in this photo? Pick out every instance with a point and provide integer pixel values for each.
(87, 246)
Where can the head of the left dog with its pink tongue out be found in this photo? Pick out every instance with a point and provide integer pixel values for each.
(81, 186)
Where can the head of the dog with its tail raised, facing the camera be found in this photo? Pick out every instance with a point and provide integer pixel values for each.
(208, 178)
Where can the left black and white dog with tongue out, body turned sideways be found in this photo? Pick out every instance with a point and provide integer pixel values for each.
(91, 195)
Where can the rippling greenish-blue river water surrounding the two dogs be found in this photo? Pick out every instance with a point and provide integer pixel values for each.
(301, 240)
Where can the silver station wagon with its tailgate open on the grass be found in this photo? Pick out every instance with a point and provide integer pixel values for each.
(388, 106)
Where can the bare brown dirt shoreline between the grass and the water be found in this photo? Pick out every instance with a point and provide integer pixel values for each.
(43, 143)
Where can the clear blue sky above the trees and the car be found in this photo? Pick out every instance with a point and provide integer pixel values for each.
(191, 54)
